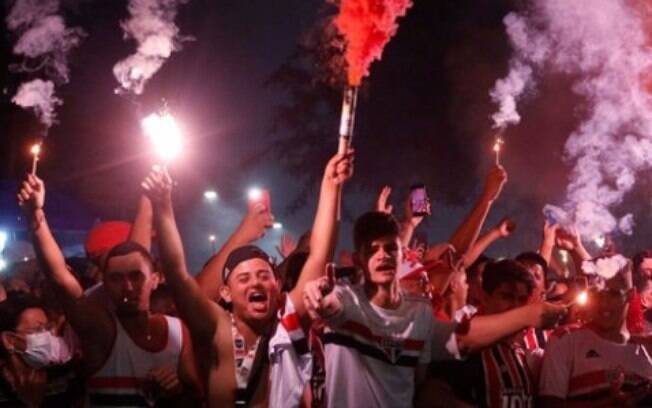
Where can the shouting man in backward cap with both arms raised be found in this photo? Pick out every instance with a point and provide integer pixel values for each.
(236, 342)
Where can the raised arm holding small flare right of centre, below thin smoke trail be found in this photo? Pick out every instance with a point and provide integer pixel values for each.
(467, 233)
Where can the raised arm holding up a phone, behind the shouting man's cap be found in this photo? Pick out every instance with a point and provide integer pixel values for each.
(252, 228)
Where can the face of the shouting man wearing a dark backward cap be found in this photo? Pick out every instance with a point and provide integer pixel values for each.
(252, 289)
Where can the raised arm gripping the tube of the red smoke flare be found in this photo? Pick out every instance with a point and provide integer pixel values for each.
(324, 231)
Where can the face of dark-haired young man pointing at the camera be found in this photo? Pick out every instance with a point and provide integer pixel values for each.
(380, 260)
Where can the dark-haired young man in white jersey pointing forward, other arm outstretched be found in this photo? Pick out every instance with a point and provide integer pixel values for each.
(388, 338)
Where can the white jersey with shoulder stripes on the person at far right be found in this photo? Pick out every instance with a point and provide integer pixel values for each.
(579, 364)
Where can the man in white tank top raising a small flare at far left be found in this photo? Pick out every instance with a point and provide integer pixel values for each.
(132, 357)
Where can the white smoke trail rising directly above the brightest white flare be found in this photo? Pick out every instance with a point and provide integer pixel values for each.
(151, 24)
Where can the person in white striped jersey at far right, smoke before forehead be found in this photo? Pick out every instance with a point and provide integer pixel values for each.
(597, 364)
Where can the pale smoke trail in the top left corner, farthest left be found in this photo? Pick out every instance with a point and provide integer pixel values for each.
(44, 42)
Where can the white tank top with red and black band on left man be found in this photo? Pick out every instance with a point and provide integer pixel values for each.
(119, 383)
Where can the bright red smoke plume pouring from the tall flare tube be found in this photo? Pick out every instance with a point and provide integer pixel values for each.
(367, 26)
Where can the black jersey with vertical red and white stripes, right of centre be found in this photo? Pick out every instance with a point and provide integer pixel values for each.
(498, 376)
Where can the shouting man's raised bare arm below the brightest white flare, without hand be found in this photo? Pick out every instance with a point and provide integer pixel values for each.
(194, 307)
